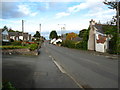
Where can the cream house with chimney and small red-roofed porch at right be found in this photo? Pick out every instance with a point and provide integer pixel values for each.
(98, 40)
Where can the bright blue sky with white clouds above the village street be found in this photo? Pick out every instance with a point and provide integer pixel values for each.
(53, 14)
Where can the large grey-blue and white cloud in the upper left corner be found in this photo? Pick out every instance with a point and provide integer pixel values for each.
(15, 10)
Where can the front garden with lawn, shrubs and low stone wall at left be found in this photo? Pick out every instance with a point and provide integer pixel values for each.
(21, 48)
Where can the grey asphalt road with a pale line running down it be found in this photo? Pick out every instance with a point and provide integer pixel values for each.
(62, 68)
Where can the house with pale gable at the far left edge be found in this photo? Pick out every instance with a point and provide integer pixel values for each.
(4, 35)
